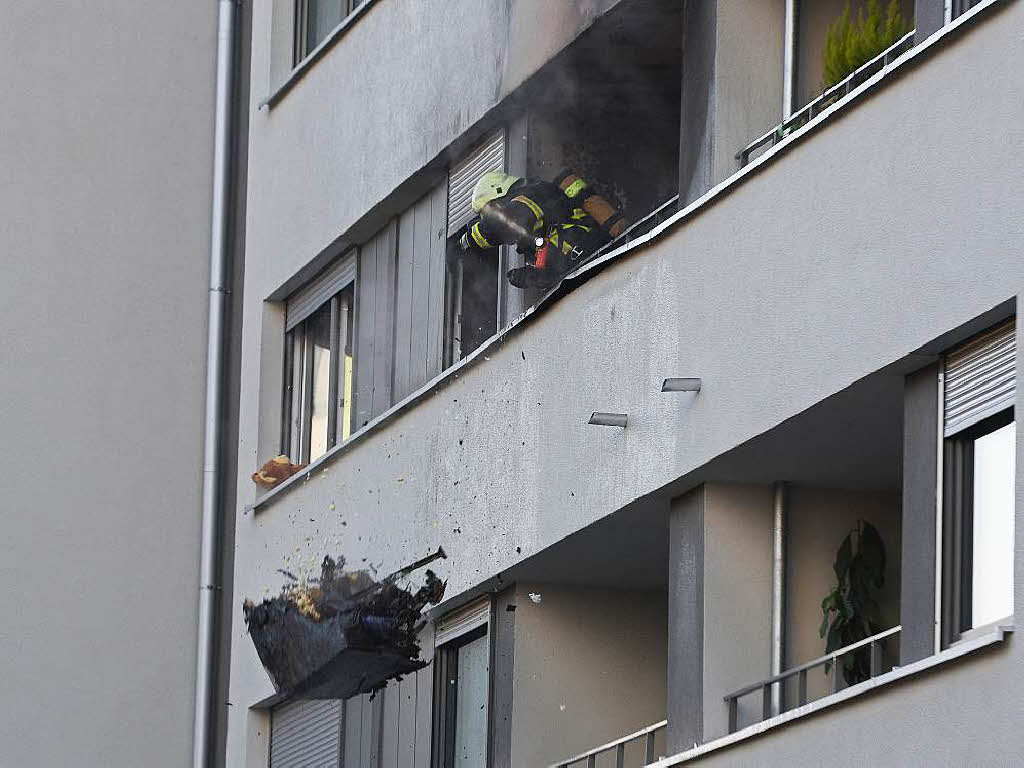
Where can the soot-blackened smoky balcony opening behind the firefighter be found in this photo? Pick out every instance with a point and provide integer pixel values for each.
(609, 108)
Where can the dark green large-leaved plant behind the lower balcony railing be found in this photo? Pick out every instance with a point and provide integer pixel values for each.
(850, 612)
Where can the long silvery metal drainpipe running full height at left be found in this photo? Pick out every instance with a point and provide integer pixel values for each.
(209, 577)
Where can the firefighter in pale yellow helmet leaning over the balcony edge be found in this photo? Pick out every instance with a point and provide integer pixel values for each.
(540, 220)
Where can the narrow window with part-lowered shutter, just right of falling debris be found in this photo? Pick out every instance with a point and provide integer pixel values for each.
(462, 689)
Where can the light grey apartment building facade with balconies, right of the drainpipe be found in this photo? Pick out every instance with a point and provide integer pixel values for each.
(812, 329)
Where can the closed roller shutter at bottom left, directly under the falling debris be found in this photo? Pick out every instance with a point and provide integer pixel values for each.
(307, 735)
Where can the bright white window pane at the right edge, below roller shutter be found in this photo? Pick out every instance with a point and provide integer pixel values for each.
(993, 588)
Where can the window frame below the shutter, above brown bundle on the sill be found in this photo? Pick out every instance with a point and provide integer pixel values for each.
(343, 337)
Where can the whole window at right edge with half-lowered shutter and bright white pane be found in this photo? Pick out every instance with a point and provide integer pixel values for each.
(980, 448)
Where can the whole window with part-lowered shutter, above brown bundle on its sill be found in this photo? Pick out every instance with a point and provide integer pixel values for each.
(319, 371)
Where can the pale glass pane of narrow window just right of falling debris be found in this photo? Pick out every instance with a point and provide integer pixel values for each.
(472, 705)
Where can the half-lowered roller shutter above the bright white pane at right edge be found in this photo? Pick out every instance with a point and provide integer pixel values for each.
(980, 378)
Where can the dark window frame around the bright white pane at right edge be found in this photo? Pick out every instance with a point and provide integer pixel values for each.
(958, 526)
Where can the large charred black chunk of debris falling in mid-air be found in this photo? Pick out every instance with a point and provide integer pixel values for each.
(344, 634)
